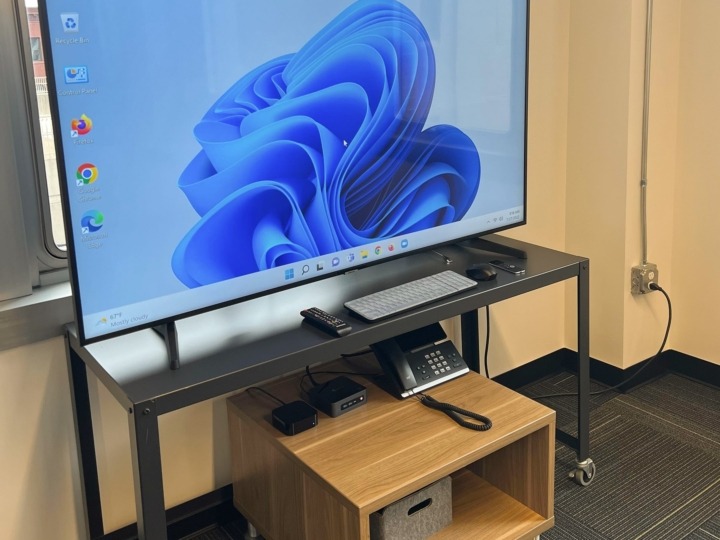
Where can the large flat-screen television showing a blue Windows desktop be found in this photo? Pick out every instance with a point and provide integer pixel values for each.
(212, 151)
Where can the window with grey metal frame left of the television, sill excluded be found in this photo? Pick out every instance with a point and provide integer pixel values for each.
(32, 246)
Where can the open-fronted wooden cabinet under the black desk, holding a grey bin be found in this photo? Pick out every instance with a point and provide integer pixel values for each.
(325, 482)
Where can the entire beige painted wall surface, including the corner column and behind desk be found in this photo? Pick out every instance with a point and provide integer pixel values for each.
(583, 176)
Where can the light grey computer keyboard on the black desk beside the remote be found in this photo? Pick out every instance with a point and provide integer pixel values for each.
(409, 295)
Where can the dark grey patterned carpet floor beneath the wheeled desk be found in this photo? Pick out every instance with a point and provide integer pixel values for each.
(657, 452)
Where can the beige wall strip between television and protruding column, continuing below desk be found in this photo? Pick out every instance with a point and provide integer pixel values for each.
(537, 316)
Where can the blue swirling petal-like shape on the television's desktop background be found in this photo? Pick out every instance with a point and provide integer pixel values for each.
(324, 149)
